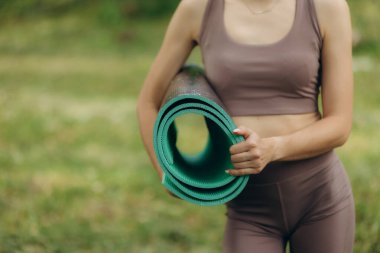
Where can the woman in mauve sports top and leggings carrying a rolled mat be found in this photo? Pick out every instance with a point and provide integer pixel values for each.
(267, 59)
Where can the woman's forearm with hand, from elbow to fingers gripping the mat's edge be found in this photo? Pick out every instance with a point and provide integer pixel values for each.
(252, 155)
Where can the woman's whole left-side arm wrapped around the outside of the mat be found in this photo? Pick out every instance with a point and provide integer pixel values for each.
(175, 49)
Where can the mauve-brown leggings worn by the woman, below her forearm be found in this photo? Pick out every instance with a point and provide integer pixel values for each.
(306, 203)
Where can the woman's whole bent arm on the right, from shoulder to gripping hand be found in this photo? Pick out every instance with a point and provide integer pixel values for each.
(251, 156)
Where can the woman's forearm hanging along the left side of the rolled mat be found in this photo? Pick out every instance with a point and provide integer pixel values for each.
(146, 114)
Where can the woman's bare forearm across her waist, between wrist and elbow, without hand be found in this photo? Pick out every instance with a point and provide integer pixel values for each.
(322, 136)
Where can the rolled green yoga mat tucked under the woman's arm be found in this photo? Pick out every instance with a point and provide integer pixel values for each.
(200, 178)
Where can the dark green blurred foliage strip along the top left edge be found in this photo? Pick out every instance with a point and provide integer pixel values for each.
(108, 11)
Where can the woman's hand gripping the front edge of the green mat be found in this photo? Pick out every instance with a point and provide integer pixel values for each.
(252, 155)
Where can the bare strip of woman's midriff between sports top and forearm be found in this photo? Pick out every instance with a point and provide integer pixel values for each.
(275, 125)
